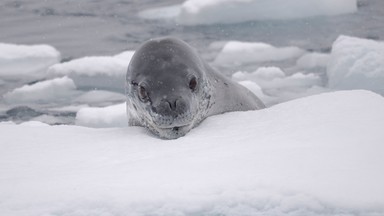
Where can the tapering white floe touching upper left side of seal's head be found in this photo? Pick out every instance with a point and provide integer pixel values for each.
(100, 72)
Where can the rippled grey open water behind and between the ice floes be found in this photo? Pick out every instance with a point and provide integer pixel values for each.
(96, 27)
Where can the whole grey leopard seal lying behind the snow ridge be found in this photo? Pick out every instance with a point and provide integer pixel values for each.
(170, 89)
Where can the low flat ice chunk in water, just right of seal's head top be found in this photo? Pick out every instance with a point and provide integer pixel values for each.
(239, 53)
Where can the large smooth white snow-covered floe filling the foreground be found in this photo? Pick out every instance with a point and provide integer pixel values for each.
(319, 155)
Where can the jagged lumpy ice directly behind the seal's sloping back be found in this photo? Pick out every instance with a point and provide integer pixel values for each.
(273, 86)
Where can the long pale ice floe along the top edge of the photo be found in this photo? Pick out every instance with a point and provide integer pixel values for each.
(203, 12)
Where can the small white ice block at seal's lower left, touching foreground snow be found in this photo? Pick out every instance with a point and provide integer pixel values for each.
(101, 117)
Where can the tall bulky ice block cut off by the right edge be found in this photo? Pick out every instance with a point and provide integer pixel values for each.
(356, 64)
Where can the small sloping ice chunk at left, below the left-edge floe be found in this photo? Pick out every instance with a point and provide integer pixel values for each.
(55, 90)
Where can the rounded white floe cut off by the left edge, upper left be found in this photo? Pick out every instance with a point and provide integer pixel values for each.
(24, 62)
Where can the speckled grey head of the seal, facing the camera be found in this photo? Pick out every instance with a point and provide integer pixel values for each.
(166, 90)
